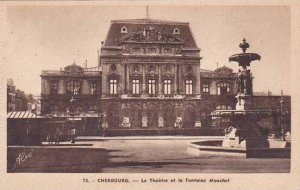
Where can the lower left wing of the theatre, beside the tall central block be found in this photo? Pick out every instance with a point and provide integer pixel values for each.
(83, 85)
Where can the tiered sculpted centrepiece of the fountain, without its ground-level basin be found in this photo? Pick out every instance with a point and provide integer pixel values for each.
(244, 131)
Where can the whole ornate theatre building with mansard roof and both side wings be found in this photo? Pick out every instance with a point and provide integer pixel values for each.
(148, 81)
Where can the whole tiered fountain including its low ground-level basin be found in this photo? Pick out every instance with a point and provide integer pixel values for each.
(244, 136)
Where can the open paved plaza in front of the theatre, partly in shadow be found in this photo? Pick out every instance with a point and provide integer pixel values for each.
(137, 155)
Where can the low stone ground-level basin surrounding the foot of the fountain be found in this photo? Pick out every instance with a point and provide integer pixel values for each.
(278, 149)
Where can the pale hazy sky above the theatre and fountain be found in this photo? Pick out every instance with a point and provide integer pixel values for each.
(51, 37)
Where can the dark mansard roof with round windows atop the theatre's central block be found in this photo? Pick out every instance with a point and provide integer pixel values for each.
(137, 26)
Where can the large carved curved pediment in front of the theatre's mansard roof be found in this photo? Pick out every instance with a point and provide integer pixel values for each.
(151, 34)
